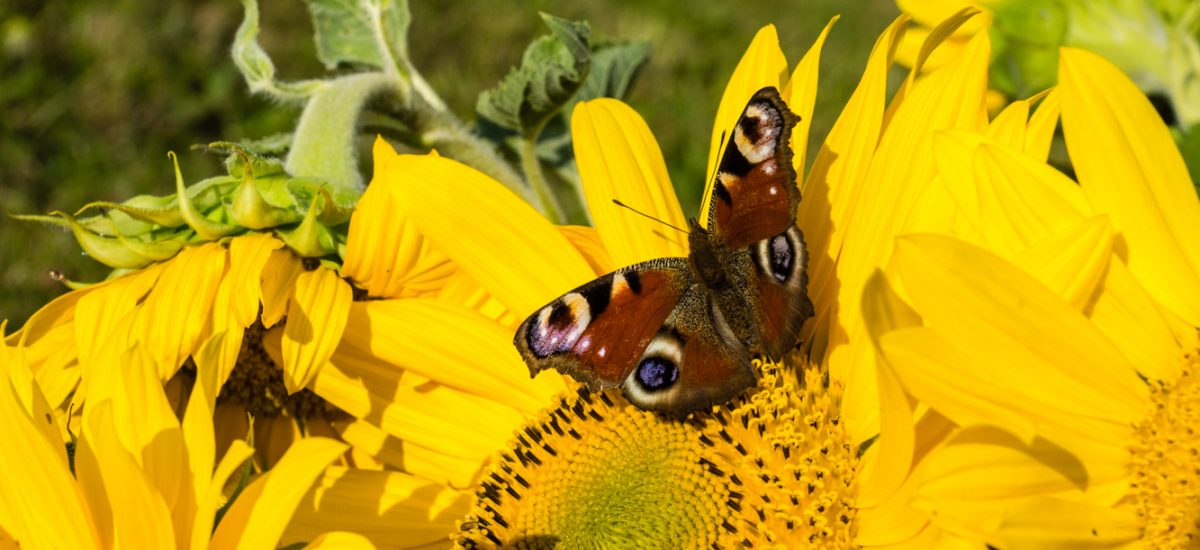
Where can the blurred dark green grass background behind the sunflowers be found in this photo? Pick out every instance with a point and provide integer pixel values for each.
(95, 94)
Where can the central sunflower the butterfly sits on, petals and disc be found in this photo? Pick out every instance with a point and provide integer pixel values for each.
(808, 457)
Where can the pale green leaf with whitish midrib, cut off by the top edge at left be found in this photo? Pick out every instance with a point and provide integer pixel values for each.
(362, 32)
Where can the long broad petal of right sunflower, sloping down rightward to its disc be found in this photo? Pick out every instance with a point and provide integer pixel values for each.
(983, 303)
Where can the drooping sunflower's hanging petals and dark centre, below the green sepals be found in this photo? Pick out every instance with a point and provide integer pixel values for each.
(203, 314)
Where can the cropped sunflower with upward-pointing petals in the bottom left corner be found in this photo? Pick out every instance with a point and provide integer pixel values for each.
(136, 477)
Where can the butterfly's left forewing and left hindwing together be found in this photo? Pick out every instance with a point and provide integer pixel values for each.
(649, 328)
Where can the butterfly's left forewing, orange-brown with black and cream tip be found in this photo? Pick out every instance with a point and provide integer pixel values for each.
(598, 332)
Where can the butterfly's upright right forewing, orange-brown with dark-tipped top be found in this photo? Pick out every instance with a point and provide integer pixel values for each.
(755, 194)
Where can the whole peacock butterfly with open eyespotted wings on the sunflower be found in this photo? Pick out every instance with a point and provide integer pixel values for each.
(677, 334)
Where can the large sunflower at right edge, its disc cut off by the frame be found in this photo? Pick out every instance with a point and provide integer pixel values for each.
(1064, 337)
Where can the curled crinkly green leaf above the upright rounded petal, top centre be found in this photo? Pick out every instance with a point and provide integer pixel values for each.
(553, 70)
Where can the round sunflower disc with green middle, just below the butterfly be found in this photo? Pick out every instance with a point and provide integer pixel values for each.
(771, 468)
